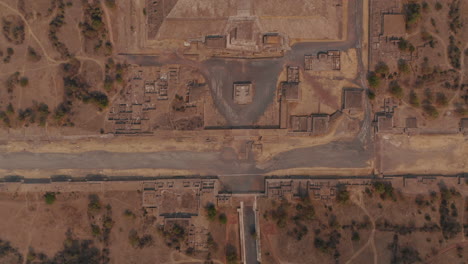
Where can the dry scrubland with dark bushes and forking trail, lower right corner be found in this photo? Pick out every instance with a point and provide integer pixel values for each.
(378, 212)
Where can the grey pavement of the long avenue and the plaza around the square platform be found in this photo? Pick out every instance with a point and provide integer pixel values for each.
(339, 154)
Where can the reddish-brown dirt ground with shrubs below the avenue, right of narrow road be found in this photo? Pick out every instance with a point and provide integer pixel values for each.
(365, 229)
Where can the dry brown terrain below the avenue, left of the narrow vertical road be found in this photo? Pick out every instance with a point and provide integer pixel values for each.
(106, 227)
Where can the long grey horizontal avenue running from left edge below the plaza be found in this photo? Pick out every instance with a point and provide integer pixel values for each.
(340, 154)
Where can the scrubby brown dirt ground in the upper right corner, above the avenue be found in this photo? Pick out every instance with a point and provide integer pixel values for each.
(433, 86)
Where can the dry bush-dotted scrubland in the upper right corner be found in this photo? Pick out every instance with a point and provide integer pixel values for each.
(428, 70)
